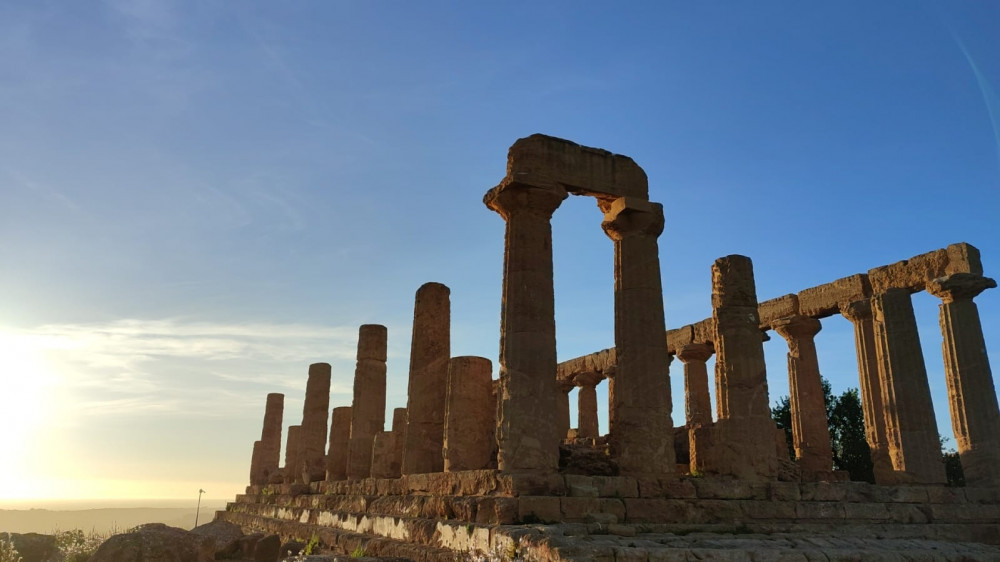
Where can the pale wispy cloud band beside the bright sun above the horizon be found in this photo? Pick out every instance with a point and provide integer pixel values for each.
(171, 366)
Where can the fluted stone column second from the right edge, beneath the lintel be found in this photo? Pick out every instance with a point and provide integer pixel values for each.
(910, 427)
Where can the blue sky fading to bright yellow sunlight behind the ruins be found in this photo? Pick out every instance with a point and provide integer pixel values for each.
(199, 199)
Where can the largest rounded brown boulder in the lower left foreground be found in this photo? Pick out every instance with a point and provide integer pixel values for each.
(156, 542)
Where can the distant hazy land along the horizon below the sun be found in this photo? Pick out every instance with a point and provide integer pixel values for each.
(103, 516)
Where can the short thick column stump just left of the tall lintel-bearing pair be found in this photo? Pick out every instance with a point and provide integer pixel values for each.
(469, 424)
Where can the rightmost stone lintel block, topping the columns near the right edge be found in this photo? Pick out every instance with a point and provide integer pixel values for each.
(915, 273)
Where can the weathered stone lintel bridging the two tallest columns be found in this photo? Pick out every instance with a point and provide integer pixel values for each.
(544, 161)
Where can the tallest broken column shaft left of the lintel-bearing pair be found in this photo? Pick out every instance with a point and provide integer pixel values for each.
(429, 353)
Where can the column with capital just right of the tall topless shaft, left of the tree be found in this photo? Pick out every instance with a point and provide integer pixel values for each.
(810, 430)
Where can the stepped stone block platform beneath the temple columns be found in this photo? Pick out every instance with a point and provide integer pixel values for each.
(449, 516)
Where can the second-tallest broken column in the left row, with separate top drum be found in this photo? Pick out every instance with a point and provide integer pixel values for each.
(368, 408)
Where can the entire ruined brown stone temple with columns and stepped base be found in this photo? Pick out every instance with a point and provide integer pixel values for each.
(473, 465)
